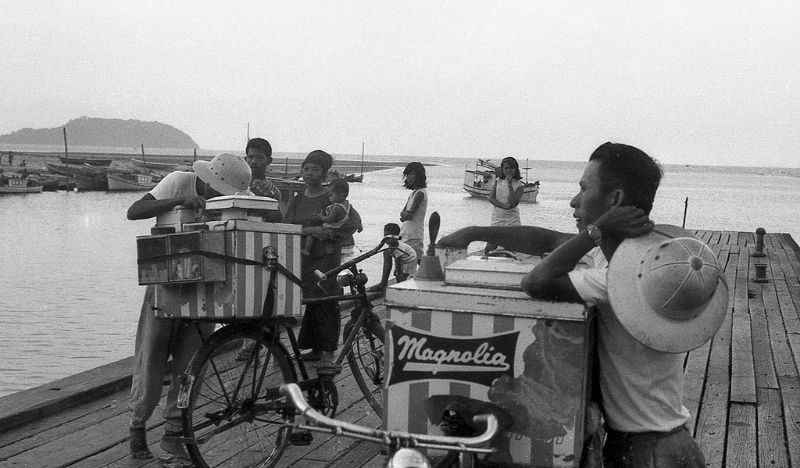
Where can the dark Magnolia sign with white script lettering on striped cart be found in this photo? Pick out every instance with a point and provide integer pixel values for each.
(417, 356)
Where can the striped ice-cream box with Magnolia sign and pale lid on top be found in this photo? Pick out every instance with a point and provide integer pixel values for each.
(478, 337)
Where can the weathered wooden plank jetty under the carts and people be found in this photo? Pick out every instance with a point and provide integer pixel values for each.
(742, 387)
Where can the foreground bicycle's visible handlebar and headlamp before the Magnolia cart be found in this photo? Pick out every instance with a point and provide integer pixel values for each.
(402, 446)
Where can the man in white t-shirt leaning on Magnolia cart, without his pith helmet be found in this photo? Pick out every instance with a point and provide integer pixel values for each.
(641, 388)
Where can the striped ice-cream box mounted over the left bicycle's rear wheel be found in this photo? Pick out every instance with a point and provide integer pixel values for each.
(211, 283)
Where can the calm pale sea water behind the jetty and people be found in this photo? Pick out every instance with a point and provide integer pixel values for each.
(69, 298)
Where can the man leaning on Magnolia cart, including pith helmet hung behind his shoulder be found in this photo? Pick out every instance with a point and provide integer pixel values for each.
(662, 295)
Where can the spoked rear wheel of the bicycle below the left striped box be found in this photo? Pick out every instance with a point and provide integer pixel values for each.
(234, 412)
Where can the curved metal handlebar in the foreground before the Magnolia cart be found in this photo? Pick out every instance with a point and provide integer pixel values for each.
(293, 392)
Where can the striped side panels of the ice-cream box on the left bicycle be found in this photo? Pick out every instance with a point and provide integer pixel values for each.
(242, 294)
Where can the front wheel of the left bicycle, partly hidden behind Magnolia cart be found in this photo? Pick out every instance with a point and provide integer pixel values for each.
(365, 358)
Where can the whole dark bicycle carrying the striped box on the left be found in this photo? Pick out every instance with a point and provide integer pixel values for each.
(233, 414)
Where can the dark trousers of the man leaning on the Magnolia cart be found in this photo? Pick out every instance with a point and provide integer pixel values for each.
(672, 449)
